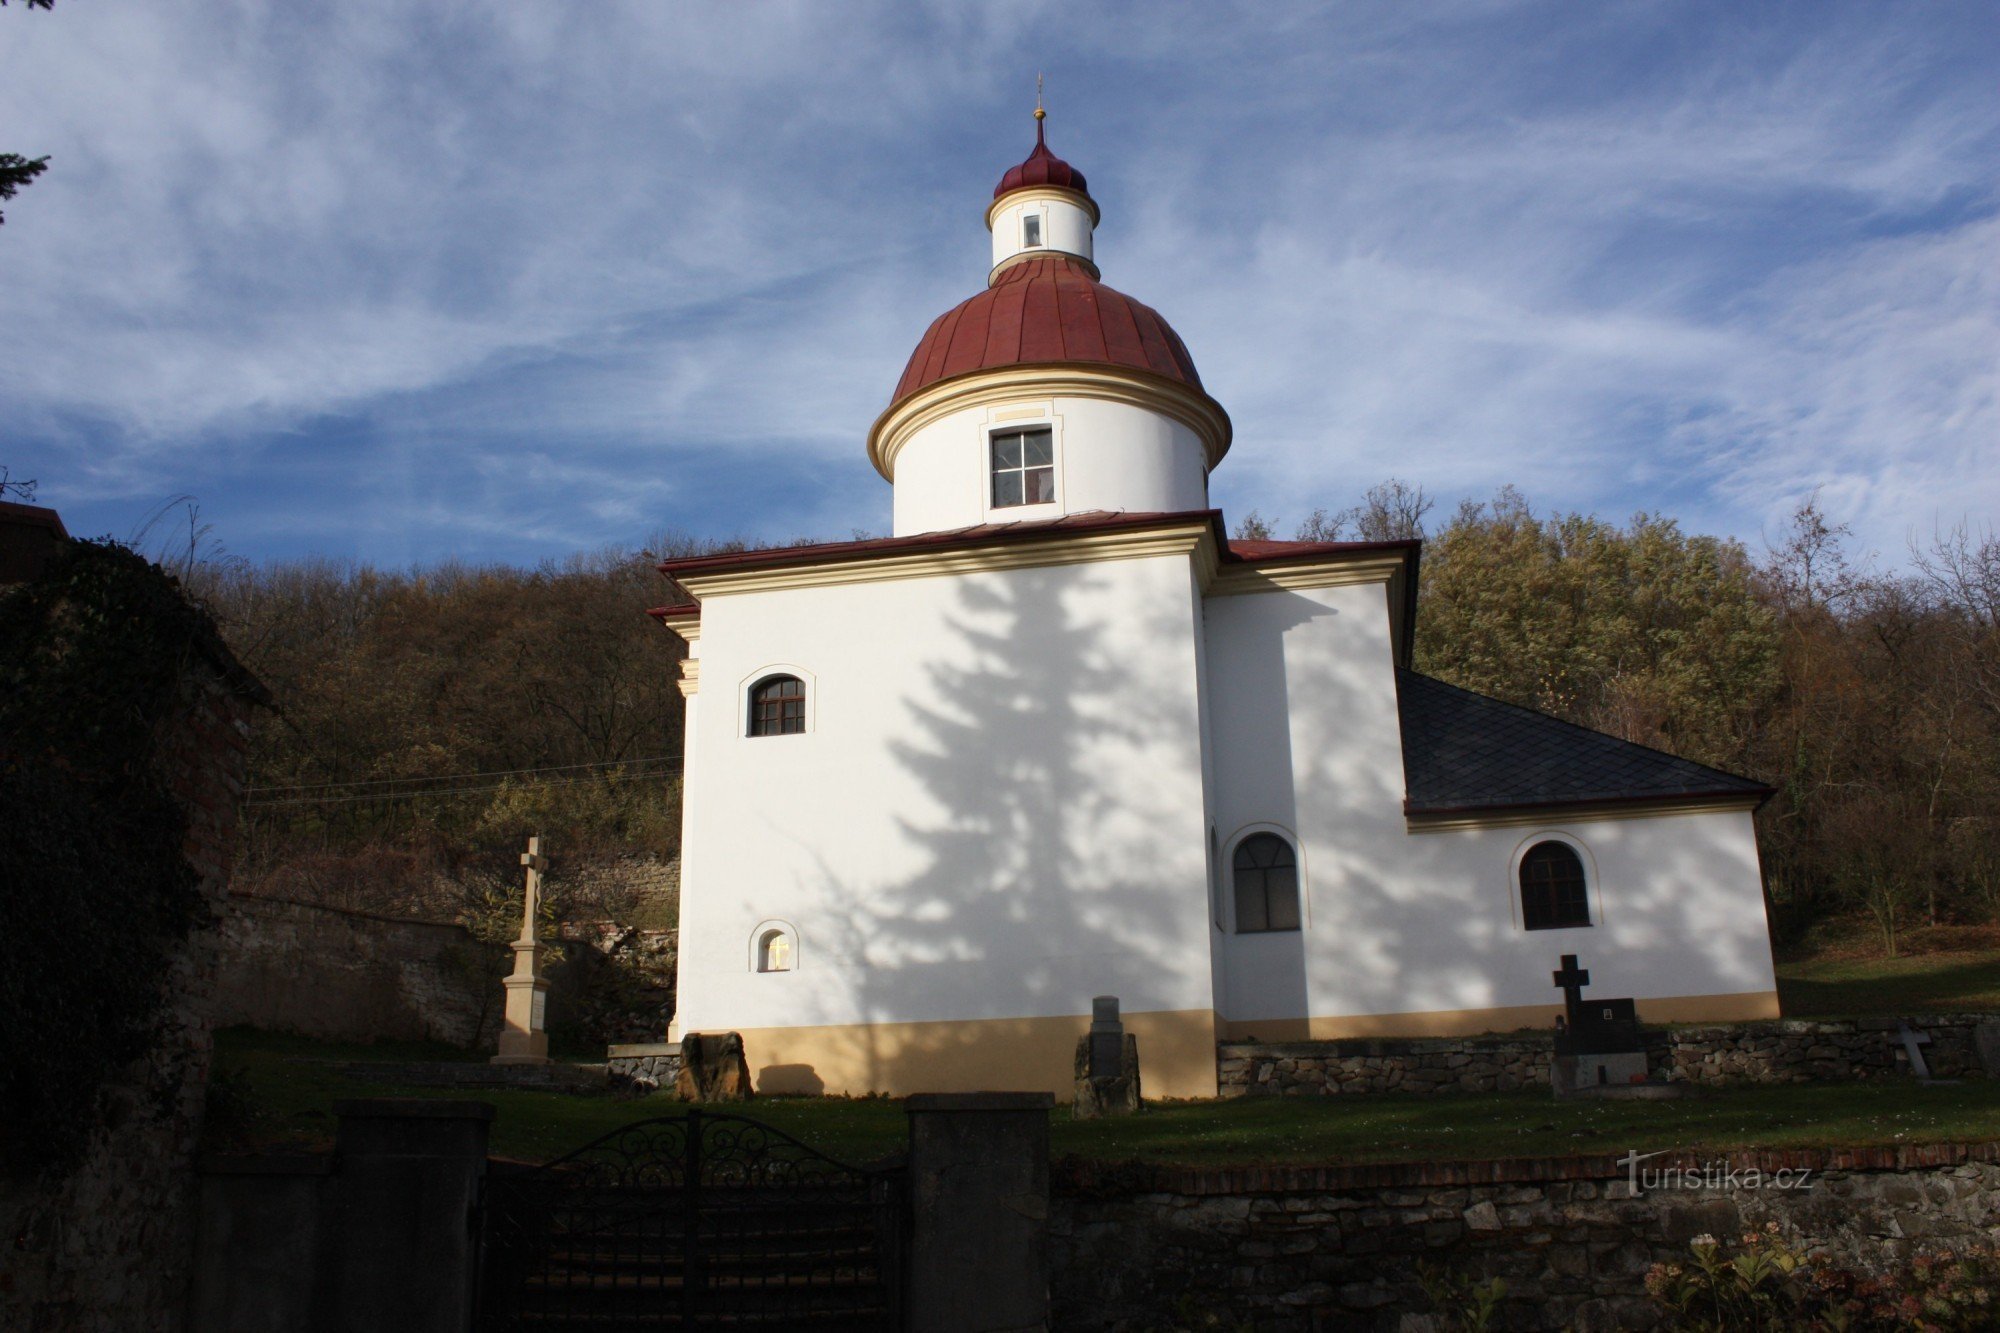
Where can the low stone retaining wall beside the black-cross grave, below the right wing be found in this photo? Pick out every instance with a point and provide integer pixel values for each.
(1779, 1052)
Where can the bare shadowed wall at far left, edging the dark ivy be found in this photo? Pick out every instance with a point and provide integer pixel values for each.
(109, 1248)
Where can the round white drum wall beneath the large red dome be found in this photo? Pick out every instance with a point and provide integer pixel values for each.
(1109, 457)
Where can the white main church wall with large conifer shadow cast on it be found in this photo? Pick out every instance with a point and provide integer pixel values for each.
(995, 816)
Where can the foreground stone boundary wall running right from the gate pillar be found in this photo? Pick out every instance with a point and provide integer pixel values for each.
(1315, 1248)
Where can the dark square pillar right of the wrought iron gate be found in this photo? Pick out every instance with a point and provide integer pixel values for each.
(979, 1212)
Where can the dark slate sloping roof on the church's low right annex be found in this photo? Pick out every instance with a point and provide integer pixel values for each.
(1465, 752)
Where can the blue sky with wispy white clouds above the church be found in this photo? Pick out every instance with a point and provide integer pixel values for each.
(419, 281)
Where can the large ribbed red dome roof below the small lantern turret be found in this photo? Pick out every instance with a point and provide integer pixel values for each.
(1039, 311)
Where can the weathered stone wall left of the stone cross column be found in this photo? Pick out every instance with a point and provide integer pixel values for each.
(323, 972)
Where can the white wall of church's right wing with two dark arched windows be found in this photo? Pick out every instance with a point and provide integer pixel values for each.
(1417, 934)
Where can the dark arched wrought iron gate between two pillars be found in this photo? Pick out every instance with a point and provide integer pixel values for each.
(689, 1224)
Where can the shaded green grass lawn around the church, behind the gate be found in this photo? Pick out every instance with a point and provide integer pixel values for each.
(295, 1084)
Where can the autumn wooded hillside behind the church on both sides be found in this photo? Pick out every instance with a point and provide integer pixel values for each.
(435, 718)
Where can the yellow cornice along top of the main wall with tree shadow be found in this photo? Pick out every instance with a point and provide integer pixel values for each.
(1061, 547)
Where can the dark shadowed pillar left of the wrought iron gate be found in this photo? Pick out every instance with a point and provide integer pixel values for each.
(409, 1178)
